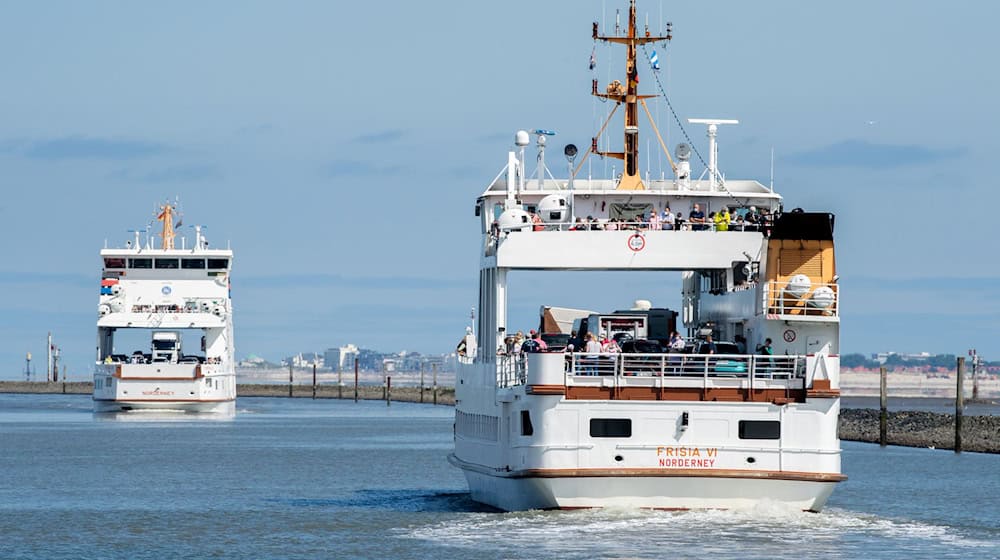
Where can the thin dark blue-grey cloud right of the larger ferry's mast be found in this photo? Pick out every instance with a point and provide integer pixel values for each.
(861, 153)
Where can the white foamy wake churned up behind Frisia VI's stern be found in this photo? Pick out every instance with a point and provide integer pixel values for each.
(765, 529)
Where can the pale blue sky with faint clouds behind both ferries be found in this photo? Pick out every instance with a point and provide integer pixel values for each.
(339, 147)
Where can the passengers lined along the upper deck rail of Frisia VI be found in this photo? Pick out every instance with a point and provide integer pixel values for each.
(727, 219)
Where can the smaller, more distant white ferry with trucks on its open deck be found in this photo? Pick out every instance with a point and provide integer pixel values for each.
(165, 327)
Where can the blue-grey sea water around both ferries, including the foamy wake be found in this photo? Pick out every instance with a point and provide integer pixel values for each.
(335, 479)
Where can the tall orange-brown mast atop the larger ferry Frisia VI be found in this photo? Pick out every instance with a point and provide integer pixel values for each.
(631, 177)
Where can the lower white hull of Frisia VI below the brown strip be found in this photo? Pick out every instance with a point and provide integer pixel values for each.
(522, 491)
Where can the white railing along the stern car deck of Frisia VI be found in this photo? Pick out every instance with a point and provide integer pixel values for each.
(512, 370)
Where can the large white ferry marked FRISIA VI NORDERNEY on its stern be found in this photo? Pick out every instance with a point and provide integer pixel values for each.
(653, 429)
